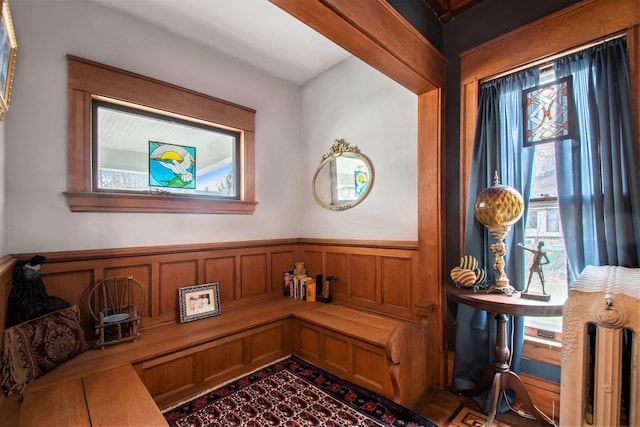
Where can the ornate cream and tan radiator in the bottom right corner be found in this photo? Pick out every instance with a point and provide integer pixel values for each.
(600, 325)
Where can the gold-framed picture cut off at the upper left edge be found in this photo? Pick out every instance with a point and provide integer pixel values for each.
(8, 47)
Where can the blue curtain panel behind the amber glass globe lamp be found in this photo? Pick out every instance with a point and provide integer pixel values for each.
(497, 147)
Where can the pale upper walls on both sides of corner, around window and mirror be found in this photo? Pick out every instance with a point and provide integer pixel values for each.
(350, 101)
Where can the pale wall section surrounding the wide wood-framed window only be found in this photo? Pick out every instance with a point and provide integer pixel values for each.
(36, 131)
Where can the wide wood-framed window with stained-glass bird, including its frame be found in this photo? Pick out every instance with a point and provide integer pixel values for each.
(141, 145)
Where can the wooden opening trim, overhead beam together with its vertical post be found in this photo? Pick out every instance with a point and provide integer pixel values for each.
(379, 36)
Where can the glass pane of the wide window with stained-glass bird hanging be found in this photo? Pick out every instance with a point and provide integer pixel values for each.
(148, 152)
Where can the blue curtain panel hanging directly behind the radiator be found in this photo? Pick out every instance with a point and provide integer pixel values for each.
(597, 172)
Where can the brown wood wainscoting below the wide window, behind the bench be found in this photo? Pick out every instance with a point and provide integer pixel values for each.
(247, 272)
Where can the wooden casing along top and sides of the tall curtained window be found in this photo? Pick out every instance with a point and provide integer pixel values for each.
(524, 45)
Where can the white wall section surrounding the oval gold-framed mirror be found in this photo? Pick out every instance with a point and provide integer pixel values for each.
(355, 102)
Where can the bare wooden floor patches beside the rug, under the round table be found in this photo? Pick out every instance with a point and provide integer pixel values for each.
(441, 405)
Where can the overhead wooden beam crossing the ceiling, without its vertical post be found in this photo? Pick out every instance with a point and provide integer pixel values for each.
(374, 32)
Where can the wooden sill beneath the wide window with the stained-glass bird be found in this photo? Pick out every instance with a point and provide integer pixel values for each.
(119, 202)
